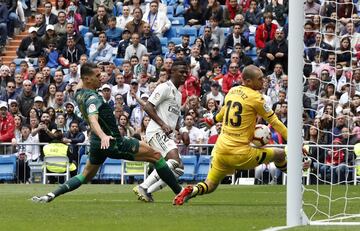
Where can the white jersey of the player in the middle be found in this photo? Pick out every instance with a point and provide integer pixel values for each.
(167, 101)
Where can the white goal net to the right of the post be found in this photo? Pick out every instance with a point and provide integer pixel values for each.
(331, 116)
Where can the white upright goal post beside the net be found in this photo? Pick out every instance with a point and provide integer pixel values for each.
(295, 110)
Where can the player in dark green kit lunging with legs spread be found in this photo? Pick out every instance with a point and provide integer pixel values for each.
(106, 140)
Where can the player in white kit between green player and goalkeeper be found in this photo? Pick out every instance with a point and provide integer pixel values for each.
(163, 107)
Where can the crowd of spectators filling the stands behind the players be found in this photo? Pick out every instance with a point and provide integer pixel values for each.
(136, 42)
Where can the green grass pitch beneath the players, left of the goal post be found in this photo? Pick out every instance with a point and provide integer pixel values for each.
(115, 207)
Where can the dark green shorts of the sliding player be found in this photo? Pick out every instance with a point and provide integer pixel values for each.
(120, 148)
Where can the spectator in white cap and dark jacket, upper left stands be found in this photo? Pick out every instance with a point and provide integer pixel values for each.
(30, 46)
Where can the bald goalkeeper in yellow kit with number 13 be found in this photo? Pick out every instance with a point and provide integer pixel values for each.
(232, 150)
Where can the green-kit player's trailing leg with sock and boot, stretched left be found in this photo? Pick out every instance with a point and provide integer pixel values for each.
(73, 183)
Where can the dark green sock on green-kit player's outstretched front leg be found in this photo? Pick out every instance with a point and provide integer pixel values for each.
(167, 175)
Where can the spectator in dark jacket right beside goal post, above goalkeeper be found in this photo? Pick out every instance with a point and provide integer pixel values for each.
(276, 51)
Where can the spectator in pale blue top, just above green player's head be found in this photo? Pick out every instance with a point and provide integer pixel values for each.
(102, 51)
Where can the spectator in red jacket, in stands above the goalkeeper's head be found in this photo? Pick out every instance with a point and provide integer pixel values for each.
(265, 32)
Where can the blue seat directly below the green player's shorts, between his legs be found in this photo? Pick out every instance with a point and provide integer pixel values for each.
(111, 170)
